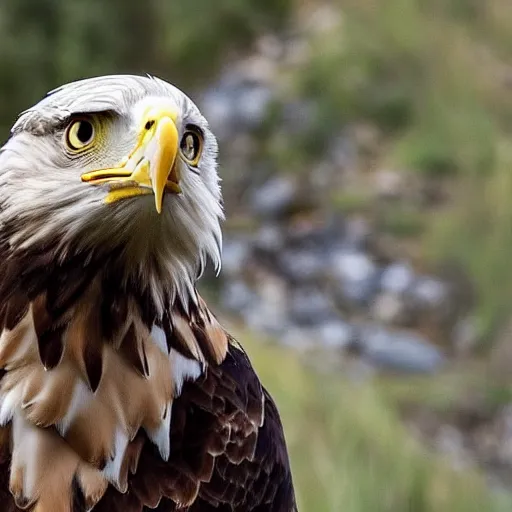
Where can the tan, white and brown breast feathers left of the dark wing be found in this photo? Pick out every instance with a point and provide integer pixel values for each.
(79, 374)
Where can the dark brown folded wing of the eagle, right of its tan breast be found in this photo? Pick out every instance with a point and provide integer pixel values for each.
(228, 451)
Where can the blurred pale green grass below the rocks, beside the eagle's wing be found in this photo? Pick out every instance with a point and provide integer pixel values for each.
(350, 452)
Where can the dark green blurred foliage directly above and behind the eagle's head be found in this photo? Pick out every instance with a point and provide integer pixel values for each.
(44, 43)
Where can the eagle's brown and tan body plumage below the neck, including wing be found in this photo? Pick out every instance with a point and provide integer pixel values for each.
(108, 408)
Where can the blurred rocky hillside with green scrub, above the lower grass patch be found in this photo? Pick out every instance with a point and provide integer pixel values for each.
(363, 153)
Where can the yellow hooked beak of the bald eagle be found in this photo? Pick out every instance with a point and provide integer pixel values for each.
(151, 167)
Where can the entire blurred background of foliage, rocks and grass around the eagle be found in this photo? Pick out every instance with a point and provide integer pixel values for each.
(367, 167)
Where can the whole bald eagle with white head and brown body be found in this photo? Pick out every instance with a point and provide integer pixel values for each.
(119, 389)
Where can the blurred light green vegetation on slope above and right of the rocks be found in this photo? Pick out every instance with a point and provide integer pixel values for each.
(434, 78)
